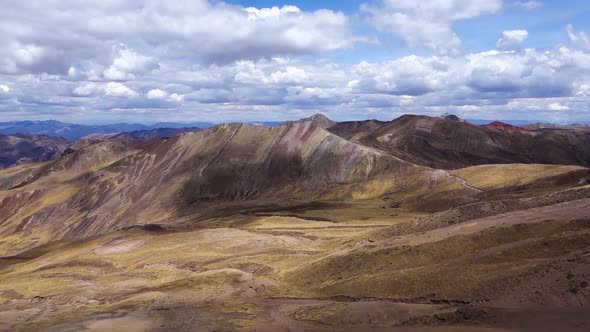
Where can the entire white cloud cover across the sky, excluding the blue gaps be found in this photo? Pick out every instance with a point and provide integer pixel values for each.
(117, 65)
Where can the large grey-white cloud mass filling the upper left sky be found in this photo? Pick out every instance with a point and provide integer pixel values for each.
(90, 34)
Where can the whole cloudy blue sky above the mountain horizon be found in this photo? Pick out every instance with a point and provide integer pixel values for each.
(269, 60)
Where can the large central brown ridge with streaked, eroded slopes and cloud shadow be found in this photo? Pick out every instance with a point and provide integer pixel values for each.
(108, 185)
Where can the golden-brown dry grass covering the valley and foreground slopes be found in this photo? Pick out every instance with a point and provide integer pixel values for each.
(229, 267)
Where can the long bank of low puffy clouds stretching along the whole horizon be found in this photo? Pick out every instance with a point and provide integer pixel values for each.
(475, 85)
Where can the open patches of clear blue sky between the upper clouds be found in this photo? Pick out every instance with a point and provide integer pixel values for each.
(545, 24)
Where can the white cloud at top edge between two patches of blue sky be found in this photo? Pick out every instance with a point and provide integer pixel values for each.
(428, 23)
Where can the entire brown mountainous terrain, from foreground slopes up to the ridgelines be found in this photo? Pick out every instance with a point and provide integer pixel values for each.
(418, 224)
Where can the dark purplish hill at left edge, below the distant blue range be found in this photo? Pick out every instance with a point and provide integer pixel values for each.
(24, 148)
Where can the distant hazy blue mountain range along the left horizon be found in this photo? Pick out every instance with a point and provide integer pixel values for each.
(76, 131)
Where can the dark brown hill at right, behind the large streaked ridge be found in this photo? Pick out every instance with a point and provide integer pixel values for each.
(447, 144)
